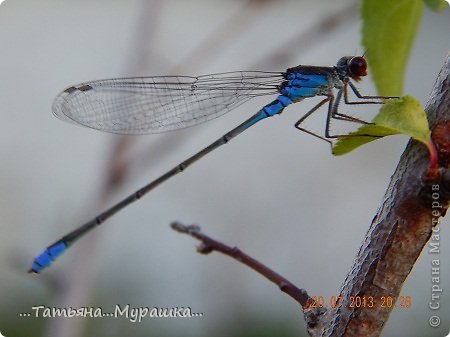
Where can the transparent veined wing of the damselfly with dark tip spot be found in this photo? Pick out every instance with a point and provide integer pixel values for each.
(142, 105)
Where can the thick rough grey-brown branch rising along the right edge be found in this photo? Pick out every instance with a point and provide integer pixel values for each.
(409, 213)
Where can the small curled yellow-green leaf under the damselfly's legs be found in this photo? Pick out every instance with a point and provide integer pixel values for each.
(397, 116)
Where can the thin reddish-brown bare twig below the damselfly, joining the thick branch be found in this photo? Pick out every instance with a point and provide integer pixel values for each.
(209, 245)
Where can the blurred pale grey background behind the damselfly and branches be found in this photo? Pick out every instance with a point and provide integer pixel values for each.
(275, 192)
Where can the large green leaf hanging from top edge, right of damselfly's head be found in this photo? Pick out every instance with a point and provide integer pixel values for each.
(388, 31)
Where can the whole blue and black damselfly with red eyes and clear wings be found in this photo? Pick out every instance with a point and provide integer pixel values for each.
(142, 105)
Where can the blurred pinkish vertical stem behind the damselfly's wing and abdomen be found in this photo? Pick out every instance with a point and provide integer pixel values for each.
(74, 289)
